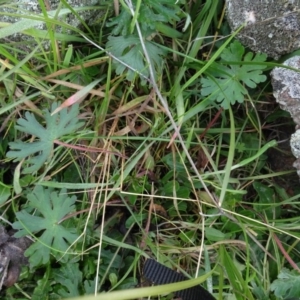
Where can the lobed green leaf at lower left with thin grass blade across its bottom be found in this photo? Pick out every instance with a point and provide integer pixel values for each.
(50, 207)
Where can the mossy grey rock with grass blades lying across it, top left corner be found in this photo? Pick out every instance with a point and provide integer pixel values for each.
(16, 12)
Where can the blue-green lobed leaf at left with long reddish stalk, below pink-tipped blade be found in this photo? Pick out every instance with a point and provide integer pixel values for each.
(39, 151)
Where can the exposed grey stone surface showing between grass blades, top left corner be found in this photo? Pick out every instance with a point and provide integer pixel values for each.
(32, 7)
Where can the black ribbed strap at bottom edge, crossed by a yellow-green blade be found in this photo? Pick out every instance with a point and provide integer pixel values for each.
(160, 274)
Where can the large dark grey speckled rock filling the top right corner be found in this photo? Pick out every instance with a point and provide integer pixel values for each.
(272, 26)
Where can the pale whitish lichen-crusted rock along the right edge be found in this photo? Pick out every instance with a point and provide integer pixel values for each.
(286, 90)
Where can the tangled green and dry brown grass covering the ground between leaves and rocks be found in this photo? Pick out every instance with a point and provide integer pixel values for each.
(158, 170)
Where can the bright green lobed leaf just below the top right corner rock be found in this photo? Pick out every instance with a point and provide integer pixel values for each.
(225, 83)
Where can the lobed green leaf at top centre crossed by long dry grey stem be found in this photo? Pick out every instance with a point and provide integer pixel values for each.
(129, 51)
